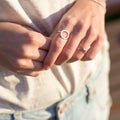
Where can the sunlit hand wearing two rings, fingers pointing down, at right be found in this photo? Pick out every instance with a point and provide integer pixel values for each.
(84, 25)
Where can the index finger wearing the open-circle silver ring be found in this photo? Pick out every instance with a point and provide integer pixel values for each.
(57, 45)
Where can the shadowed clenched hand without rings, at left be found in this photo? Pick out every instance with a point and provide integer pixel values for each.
(22, 50)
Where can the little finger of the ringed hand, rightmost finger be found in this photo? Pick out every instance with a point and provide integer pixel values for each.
(92, 52)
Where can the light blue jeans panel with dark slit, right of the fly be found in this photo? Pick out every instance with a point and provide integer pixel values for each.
(93, 102)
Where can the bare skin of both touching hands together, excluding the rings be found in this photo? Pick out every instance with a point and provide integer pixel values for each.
(27, 52)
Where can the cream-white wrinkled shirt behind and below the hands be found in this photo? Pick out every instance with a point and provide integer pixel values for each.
(19, 92)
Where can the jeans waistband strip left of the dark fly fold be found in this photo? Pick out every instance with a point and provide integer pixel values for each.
(38, 114)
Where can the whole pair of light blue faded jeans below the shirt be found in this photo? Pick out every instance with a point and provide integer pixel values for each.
(91, 103)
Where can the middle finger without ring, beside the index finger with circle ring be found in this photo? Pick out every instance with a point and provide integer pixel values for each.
(77, 34)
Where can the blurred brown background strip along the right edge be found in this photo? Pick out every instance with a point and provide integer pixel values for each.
(113, 32)
